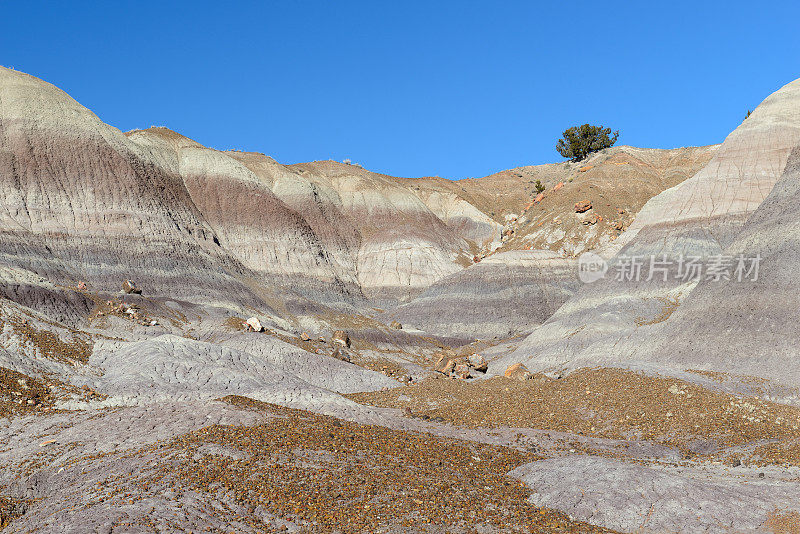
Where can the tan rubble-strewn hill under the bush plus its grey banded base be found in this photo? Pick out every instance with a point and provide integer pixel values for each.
(530, 275)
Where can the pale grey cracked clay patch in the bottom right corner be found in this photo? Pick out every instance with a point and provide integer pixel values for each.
(633, 497)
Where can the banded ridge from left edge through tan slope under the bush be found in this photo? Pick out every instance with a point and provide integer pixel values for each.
(230, 228)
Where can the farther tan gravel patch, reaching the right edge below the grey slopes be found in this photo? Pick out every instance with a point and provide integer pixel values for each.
(607, 403)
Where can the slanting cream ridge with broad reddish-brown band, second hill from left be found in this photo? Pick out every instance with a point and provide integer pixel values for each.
(251, 223)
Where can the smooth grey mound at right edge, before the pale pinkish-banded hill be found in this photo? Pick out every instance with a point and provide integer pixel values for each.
(745, 324)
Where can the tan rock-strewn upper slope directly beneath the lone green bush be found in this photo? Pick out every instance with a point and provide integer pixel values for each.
(615, 183)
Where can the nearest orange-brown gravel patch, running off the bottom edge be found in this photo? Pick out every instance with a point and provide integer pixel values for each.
(336, 476)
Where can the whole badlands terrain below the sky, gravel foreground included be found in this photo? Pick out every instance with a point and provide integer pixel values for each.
(316, 347)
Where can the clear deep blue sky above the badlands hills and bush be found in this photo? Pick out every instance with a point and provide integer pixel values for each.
(409, 88)
